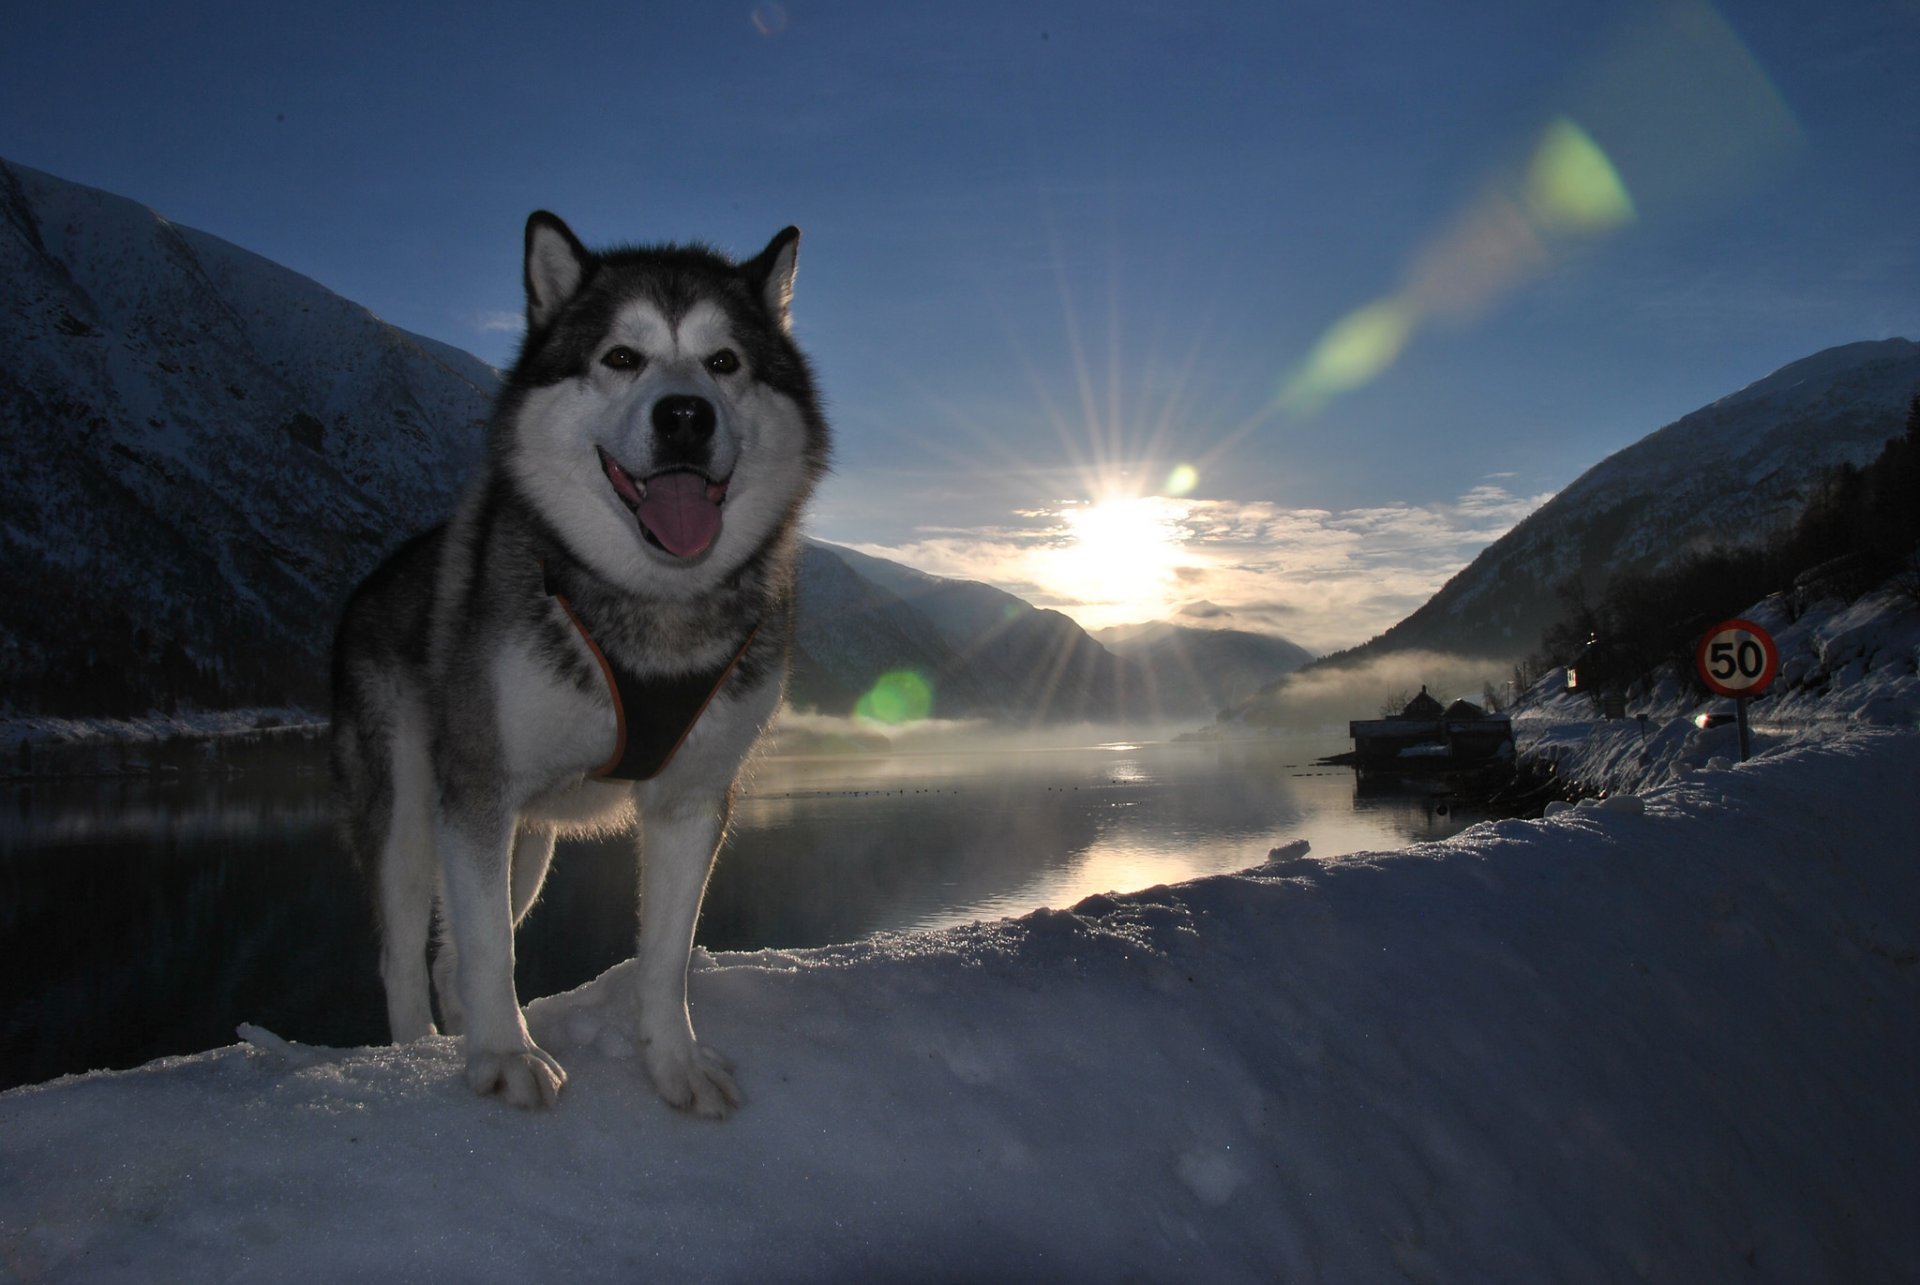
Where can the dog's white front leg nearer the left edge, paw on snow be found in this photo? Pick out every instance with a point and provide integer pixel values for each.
(502, 1055)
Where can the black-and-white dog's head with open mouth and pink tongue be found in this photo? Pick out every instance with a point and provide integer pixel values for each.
(660, 414)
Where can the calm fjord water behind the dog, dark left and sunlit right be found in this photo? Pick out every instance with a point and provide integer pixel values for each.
(147, 917)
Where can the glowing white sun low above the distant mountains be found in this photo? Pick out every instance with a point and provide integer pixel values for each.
(1116, 560)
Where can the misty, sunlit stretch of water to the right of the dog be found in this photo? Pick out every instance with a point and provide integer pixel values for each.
(948, 838)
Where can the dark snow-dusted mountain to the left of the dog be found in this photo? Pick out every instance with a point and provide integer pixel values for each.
(203, 454)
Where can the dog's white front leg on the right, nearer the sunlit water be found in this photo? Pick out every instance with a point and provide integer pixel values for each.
(677, 854)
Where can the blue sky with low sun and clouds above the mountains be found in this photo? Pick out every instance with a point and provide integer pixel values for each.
(1260, 316)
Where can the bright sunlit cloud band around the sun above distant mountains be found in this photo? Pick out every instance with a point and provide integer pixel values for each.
(1322, 577)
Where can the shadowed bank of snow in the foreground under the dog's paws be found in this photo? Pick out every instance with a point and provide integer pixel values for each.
(1662, 1036)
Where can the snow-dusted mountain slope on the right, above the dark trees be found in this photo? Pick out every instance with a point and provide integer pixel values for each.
(1727, 475)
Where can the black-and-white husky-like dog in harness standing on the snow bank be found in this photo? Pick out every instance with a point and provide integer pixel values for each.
(592, 642)
